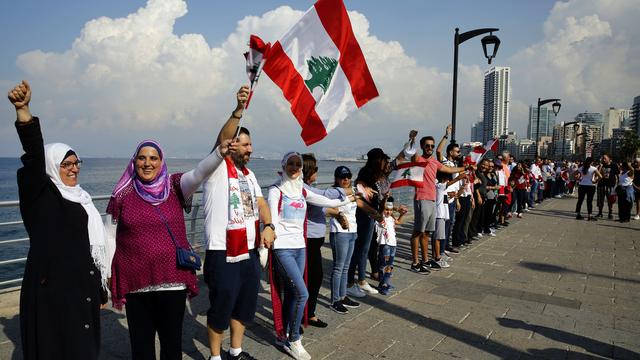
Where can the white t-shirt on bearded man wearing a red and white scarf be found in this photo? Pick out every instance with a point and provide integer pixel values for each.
(215, 201)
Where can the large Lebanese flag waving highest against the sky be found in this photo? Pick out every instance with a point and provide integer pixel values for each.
(321, 70)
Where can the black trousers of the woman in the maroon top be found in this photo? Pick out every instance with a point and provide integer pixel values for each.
(151, 312)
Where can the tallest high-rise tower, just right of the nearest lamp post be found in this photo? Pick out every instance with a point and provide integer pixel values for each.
(497, 98)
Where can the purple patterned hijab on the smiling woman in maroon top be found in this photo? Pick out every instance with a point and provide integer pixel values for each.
(155, 191)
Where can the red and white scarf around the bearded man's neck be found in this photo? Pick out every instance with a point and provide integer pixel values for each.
(237, 241)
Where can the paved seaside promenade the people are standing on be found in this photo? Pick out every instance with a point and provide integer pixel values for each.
(546, 287)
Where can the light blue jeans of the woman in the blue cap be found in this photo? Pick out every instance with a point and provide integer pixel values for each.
(342, 245)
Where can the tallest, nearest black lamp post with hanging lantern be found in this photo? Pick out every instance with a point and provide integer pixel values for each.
(487, 42)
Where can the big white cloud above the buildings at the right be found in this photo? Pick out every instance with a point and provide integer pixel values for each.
(586, 57)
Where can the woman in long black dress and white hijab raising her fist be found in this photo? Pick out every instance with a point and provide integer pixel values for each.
(68, 264)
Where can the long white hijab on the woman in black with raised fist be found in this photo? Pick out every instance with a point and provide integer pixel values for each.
(54, 155)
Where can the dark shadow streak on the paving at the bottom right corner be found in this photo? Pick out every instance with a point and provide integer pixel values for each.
(593, 346)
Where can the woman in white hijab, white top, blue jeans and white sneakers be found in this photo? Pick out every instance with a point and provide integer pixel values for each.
(288, 204)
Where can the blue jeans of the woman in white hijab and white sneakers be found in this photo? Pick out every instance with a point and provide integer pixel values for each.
(291, 268)
